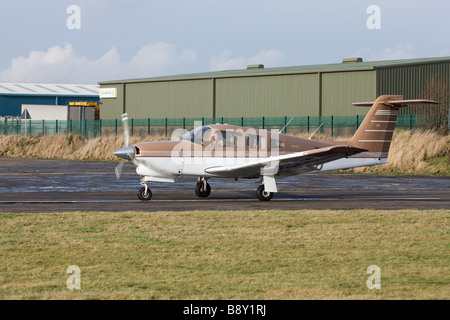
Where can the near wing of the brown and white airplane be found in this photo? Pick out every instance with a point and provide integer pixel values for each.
(286, 164)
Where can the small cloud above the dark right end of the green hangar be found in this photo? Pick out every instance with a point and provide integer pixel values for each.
(402, 51)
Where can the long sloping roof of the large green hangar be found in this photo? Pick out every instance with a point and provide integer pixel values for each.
(355, 64)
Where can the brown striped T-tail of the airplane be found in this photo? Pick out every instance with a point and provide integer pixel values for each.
(375, 132)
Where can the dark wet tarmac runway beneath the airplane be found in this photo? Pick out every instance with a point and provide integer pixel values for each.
(59, 186)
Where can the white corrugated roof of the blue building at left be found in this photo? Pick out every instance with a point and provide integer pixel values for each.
(49, 89)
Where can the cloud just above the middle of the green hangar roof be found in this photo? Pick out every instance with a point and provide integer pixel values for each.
(225, 60)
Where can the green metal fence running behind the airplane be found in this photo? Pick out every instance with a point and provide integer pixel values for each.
(333, 126)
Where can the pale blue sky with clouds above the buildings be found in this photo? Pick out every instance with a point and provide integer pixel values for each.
(88, 41)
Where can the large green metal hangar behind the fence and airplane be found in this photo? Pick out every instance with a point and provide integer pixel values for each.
(318, 90)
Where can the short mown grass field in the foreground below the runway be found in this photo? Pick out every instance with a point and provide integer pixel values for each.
(226, 254)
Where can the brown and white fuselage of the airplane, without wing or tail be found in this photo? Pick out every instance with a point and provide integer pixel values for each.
(225, 145)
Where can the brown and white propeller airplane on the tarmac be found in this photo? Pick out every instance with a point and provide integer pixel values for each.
(228, 151)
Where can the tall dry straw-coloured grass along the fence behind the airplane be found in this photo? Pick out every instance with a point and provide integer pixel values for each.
(411, 153)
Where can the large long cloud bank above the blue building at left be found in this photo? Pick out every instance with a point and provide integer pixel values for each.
(64, 65)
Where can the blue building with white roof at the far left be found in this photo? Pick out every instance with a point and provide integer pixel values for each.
(14, 95)
